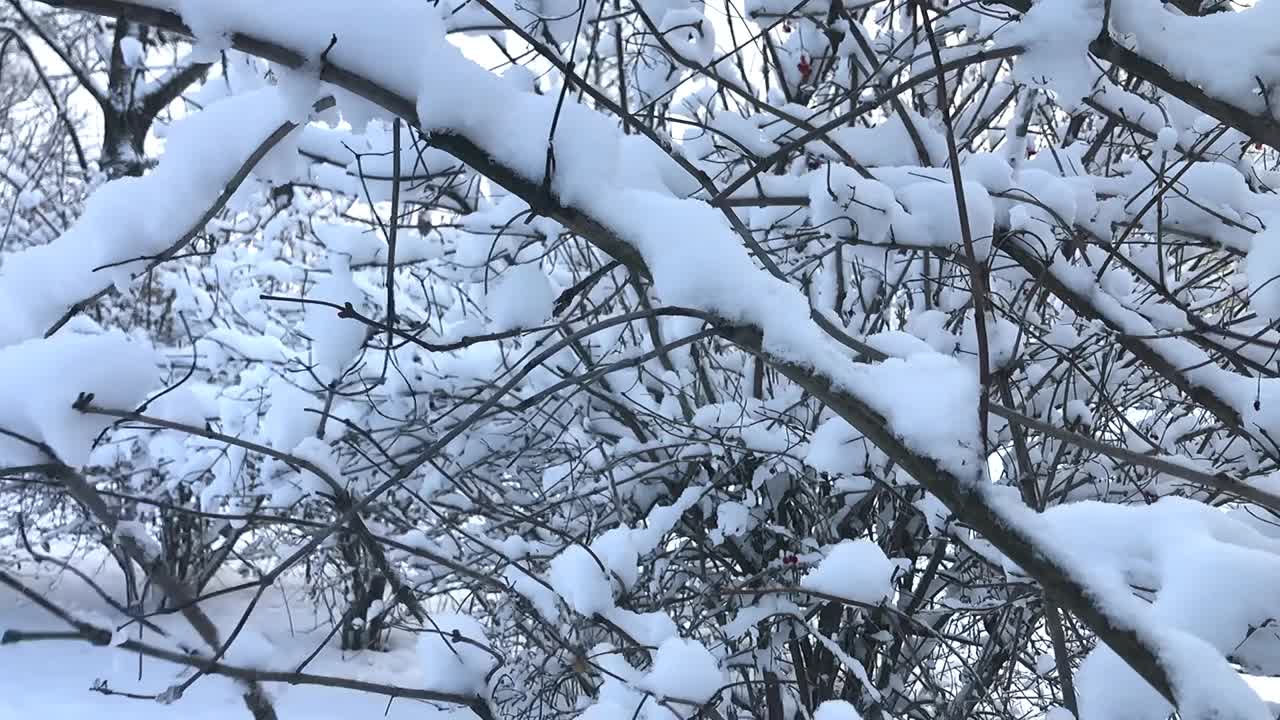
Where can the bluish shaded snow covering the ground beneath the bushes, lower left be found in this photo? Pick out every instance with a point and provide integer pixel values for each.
(53, 680)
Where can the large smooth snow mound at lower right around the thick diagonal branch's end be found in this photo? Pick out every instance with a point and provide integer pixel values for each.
(1212, 576)
